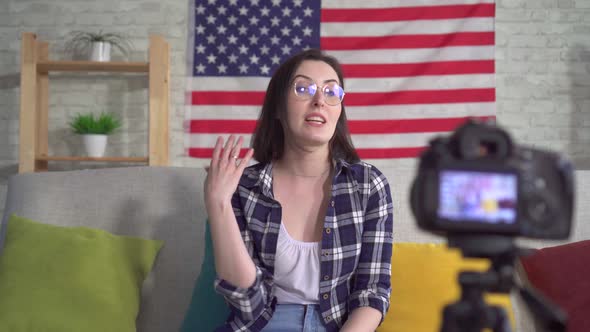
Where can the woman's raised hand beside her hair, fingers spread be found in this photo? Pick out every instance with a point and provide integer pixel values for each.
(224, 172)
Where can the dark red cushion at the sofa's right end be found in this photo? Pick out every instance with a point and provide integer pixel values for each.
(562, 273)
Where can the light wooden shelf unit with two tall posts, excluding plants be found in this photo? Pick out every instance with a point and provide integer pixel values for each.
(34, 101)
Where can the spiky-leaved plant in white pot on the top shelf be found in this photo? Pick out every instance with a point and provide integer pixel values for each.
(97, 44)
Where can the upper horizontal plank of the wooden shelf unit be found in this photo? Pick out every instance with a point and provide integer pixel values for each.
(124, 67)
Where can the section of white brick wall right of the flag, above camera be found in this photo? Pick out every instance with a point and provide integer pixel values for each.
(543, 74)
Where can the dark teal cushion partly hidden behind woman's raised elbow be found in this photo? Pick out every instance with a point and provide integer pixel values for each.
(208, 309)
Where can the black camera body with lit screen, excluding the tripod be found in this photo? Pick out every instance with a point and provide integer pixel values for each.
(477, 182)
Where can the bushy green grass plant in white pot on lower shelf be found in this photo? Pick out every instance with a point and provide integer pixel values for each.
(95, 131)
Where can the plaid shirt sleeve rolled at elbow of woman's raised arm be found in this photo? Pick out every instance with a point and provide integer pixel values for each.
(247, 304)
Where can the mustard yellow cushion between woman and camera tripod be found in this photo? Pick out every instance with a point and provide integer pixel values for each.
(424, 281)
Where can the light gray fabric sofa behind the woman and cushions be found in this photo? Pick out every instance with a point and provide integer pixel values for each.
(166, 203)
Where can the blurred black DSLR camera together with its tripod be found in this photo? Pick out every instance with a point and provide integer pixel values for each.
(481, 191)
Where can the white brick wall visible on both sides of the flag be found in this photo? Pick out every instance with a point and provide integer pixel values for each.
(543, 72)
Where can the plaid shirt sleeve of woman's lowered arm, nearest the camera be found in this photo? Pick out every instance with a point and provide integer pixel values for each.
(372, 285)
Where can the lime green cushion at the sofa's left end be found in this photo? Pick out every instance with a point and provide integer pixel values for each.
(64, 279)
